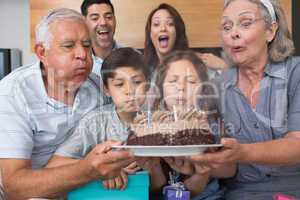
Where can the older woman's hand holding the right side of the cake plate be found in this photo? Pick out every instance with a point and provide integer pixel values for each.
(231, 152)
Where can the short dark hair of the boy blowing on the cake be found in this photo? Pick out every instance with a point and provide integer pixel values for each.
(123, 57)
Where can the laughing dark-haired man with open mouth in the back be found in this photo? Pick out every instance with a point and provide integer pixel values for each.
(101, 21)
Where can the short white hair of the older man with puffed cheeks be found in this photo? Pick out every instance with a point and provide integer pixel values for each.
(42, 32)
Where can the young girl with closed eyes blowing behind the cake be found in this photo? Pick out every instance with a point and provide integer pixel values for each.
(183, 83)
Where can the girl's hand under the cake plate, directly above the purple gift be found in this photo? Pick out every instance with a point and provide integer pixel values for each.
(181, 164)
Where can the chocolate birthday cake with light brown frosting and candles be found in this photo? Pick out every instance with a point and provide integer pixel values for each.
(190, 128)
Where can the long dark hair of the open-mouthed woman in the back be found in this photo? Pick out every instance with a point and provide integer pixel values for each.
(181, 42)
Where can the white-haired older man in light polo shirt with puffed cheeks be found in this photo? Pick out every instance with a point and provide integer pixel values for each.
(41, 103)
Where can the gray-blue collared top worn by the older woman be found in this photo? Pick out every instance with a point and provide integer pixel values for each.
(277, 113)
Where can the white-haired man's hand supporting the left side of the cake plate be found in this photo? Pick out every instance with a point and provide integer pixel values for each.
(103, 163)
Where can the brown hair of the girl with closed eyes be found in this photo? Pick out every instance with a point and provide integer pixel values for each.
(207, 100)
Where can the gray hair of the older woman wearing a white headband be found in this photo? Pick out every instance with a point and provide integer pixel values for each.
(282, 46)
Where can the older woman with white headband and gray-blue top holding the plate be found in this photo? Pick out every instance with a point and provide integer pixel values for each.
(261, 105)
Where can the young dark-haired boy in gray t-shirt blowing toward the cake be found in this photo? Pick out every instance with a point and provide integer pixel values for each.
(125, 78)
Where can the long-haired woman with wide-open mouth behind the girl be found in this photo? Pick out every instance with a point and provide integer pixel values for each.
(164, 32)
